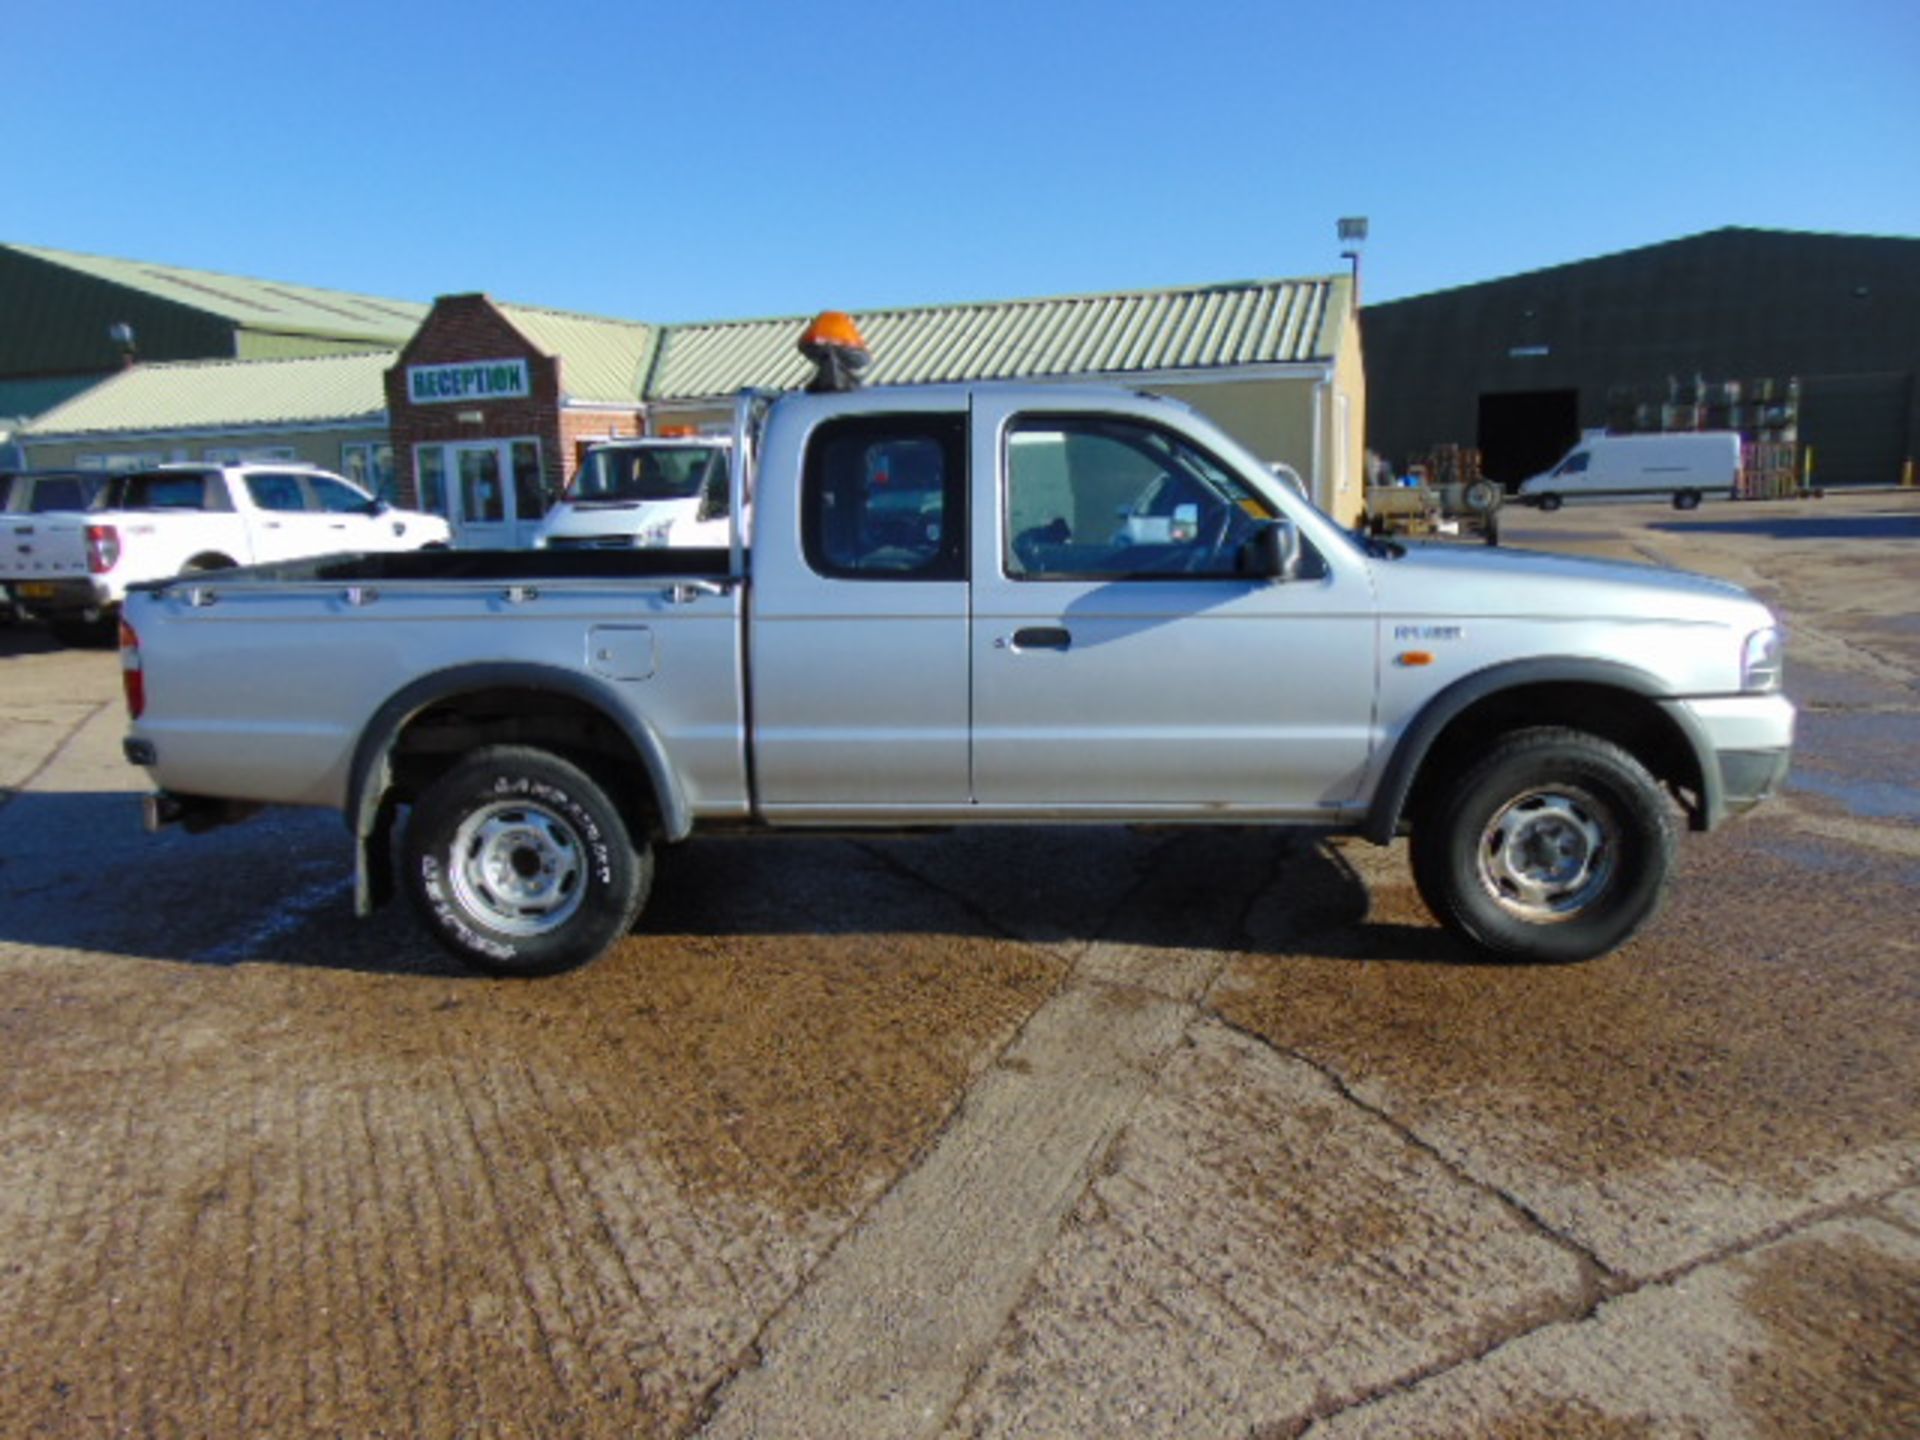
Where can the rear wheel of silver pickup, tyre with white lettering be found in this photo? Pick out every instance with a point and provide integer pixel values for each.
(521, 865)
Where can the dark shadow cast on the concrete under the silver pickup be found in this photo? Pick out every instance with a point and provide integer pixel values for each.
(80, 875)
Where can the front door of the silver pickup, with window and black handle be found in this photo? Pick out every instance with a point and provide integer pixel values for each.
(1120, 660)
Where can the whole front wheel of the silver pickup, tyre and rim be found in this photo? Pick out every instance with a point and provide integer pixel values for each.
(1554, 848)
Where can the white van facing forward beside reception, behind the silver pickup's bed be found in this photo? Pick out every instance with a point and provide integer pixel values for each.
(642, 494)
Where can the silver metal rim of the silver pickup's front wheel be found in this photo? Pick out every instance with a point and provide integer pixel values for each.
(1548, 853)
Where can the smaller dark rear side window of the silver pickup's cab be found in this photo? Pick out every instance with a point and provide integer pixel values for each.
(886, 498)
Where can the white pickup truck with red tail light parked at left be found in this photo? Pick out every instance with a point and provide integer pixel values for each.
(74, 567)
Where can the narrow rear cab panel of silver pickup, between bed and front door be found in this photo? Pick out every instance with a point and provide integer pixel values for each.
(859, 640)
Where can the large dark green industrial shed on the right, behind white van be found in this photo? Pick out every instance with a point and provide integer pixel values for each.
(1781, 335)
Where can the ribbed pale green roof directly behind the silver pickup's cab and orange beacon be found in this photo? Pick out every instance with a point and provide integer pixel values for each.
(1186, 329)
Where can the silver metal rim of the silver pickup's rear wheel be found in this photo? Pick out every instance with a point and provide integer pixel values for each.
(521, 867)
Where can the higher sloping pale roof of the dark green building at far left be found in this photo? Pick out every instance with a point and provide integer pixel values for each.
(254, 304)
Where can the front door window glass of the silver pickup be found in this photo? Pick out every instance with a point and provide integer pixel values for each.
(1103, 498)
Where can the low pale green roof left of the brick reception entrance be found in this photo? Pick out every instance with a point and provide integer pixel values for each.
(226, 395)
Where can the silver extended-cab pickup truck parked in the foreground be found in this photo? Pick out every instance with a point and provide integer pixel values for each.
(969, 606)
